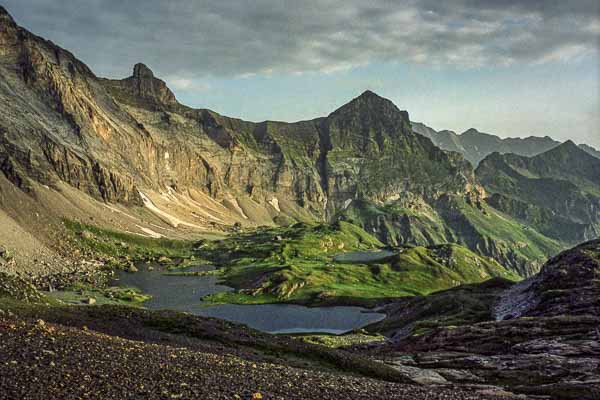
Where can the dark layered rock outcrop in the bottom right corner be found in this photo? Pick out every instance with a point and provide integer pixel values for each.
(545, 342)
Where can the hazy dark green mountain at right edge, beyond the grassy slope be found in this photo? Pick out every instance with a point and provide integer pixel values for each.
(557, 192)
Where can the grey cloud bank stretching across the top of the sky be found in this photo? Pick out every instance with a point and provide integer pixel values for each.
(241, 38)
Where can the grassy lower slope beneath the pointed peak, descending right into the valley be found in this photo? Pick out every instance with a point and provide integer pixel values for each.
(475, 225)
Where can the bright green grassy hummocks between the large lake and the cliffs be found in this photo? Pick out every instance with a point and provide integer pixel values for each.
(297, 264)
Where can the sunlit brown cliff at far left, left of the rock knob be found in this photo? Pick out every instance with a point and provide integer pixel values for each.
(56, 119)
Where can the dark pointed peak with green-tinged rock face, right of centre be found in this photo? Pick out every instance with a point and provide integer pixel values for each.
(372, 154)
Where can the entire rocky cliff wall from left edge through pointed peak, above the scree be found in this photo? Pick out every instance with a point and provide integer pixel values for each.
(113, 138)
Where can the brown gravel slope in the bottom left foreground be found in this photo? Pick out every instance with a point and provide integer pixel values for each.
(39, 360)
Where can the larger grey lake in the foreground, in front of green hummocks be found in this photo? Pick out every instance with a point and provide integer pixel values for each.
(183, 293)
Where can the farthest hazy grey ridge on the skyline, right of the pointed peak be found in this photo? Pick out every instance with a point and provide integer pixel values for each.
(475, 145)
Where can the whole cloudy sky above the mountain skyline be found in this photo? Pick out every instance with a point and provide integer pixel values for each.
(507, 67)
